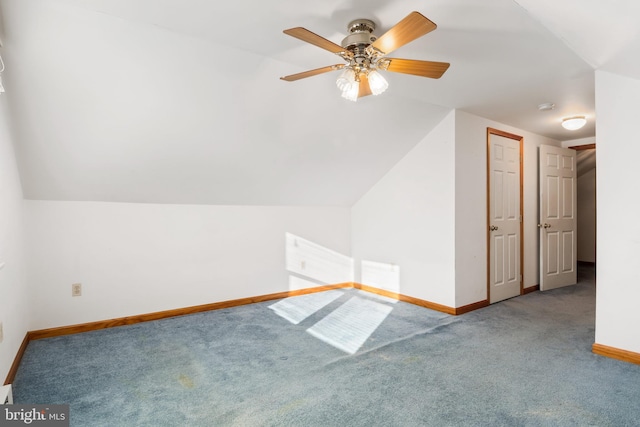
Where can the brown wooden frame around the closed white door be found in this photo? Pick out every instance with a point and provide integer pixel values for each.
(520, 139)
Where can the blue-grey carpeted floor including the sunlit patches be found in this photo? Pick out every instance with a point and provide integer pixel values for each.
(343, 358)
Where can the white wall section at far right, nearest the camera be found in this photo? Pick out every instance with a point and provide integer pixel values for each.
(618, 206)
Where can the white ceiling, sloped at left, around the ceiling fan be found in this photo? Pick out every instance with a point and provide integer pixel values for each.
(179, 101)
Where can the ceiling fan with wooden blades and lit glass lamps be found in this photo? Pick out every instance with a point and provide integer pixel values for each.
(365, 54)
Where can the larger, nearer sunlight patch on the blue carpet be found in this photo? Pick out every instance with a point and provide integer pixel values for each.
(350, 325)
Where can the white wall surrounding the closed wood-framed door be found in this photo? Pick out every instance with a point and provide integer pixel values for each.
(471, 205)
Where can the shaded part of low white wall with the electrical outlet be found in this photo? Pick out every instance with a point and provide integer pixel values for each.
(140, 258)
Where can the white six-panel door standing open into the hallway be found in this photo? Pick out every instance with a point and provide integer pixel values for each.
(557, 224)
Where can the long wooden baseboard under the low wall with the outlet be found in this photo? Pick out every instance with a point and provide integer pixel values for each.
(130, 320)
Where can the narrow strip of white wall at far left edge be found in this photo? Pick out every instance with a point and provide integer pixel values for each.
(14, 308)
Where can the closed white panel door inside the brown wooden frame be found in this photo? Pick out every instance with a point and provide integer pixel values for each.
(504, 231)
